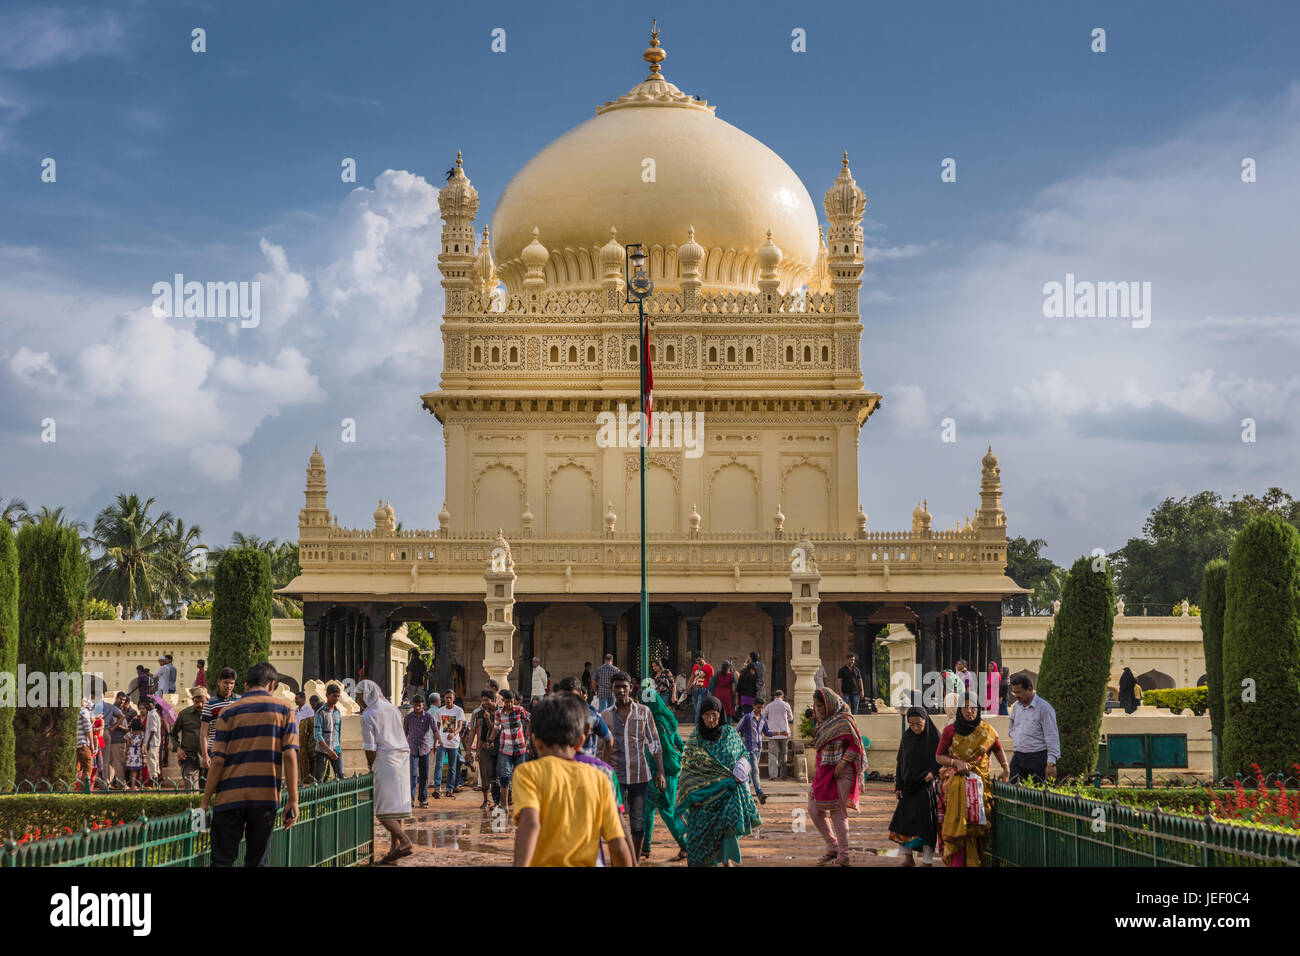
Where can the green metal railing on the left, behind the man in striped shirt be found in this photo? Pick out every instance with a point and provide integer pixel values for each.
(336, 828)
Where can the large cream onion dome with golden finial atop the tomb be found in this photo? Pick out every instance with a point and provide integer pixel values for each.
(708, 175)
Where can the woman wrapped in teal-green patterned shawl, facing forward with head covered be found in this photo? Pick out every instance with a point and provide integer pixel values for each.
(713, 791)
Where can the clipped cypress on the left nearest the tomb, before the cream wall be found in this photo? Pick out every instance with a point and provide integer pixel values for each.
(240, 635)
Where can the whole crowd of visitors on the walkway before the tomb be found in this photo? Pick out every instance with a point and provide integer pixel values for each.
(588, 765)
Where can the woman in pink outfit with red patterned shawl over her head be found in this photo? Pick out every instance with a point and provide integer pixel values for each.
(840, 760)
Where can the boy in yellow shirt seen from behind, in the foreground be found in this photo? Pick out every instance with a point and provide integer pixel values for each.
(564, 808)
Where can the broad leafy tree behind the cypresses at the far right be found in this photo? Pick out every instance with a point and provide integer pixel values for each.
(1181, 537)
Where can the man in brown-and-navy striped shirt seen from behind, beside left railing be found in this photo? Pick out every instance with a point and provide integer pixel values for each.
(254, 750)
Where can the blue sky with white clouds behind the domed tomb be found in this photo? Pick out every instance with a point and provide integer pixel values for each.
(1116, 166)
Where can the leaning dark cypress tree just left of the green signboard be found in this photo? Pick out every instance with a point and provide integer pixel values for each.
(1077, 664)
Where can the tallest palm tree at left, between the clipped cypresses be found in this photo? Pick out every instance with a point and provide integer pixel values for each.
(131, 568)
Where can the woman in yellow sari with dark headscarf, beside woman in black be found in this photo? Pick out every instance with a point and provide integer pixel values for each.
(965, 803)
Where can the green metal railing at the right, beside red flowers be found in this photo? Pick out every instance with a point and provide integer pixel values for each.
(1034, 828)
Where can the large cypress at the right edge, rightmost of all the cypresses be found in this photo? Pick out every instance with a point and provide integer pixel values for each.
(1262, 650)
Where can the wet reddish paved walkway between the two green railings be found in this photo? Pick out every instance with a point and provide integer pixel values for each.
(457, 833)
